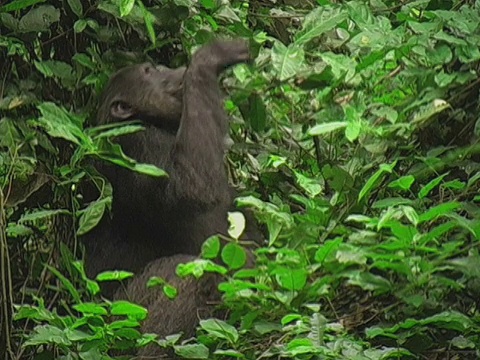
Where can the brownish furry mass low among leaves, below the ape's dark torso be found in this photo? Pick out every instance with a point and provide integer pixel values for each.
(196, 300)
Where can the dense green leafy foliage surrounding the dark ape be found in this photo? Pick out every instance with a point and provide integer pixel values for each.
(356, 144)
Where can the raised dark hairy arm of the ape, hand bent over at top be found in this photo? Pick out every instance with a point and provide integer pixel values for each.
(199, 177)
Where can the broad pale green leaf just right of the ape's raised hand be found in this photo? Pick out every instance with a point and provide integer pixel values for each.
(287, 61)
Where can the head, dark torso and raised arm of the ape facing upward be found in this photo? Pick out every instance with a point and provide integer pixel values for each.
(185, 127)
